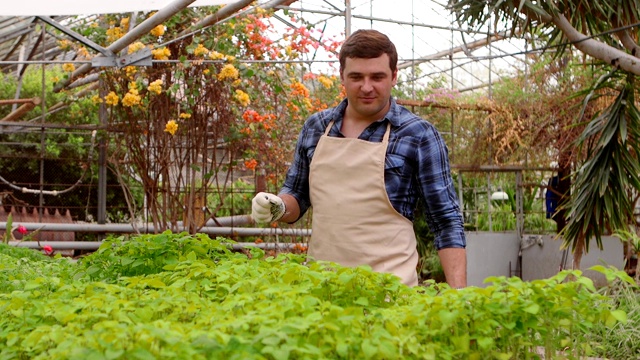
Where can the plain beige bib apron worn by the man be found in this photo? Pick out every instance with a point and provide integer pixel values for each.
(353, 220)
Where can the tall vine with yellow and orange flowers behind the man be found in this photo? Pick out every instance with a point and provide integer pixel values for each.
(166, 119)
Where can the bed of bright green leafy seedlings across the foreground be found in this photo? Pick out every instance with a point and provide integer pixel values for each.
(180, 296)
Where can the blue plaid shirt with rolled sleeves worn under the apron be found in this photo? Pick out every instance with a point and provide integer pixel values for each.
(417, 165)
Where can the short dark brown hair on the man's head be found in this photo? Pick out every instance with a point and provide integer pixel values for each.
(368, 44)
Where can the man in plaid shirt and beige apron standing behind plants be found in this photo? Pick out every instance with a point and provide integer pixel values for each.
(363, 166)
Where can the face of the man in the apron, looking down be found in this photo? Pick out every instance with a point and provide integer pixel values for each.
(368, 83)
